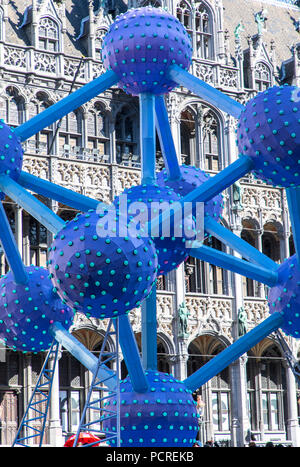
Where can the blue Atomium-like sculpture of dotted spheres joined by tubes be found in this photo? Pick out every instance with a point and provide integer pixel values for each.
(147, 53)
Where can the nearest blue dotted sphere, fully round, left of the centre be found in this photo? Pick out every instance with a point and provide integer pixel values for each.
(98, 270)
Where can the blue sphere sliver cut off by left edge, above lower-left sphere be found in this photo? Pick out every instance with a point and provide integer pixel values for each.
(11, 153)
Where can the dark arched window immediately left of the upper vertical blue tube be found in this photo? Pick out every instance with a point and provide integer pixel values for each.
(127, 134)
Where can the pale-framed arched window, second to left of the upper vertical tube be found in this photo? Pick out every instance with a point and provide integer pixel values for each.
(98, 135)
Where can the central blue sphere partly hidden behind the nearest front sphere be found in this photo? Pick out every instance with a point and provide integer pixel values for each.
(171, 241)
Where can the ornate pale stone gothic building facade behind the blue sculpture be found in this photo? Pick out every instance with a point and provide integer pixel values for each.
(50, 48)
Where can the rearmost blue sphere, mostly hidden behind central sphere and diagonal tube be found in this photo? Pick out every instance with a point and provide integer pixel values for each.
(191, 178)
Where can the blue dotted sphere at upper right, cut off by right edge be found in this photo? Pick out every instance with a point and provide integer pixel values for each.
(269, 132)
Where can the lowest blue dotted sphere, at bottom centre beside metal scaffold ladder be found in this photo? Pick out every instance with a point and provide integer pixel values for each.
(165, 416)
